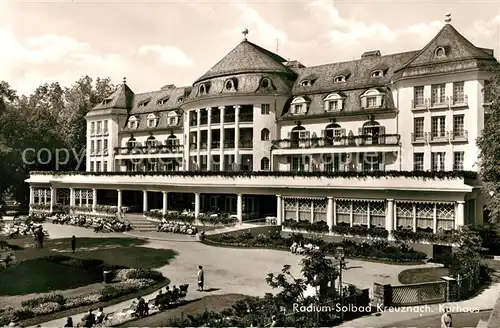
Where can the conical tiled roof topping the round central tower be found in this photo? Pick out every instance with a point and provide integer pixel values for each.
(248, 57)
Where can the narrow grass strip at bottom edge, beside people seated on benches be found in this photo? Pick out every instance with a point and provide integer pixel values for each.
(216, 303)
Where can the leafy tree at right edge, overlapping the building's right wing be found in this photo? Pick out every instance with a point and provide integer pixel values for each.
(489, 146)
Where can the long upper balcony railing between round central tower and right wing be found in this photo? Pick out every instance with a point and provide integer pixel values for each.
(362, 140)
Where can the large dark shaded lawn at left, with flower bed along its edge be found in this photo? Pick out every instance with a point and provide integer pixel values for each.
(37, 270)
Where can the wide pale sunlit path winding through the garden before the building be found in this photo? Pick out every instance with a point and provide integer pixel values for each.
(231, 270)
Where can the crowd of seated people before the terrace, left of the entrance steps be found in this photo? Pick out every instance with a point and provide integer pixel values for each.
(88, 221)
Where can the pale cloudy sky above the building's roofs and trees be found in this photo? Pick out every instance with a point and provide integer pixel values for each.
(154, 43)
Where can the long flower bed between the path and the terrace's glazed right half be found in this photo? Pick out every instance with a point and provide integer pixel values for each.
(378, 250)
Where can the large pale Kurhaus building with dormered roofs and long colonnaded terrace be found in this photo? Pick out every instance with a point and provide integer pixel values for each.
(308, 134)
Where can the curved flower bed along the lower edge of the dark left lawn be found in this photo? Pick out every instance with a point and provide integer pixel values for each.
(131, 280)
